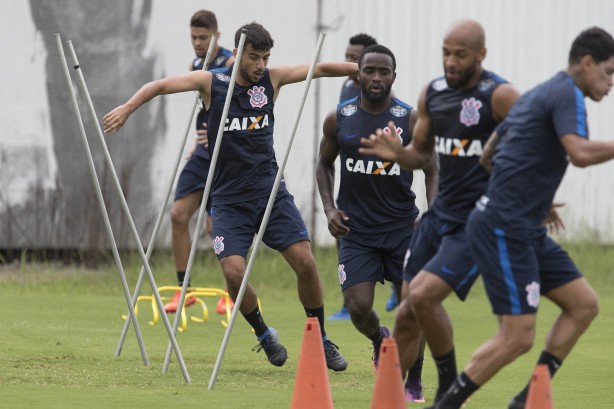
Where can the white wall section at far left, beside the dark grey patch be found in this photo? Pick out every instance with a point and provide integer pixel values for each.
(24, 119)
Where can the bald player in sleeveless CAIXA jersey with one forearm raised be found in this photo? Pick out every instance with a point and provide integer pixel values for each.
(456, 115)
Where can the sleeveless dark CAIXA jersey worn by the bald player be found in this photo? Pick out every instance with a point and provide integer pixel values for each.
(462, 122)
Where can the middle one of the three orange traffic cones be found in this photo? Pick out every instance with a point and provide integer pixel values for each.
(389, 392)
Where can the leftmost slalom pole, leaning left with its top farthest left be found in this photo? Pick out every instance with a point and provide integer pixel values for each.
(103, 210)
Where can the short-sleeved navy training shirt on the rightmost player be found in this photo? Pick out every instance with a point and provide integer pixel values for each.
(530, 160)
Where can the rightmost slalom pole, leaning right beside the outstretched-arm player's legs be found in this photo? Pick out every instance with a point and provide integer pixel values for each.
(265, 218)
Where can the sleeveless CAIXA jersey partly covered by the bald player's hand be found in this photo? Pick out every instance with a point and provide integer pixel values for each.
(375, 194)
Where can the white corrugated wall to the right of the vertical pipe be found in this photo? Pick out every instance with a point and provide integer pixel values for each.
(527, 41)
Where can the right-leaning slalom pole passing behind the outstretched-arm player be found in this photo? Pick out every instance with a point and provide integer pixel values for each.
(156, 229)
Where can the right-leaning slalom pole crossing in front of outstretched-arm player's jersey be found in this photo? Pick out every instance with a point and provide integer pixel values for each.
(203, 206)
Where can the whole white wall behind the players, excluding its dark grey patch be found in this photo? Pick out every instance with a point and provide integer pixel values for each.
(527, 42)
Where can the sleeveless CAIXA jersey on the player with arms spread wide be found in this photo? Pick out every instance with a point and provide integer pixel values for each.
(246, 167)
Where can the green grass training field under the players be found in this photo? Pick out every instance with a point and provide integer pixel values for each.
(60, 326)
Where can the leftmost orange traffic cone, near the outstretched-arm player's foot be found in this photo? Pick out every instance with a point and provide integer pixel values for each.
(311, 387)
